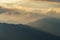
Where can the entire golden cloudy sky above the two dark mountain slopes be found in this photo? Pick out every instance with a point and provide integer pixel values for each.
(41, 8)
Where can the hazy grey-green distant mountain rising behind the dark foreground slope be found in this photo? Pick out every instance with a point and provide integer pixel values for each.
(49, 24)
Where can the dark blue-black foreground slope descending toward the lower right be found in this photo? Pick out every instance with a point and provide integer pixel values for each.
(23, 32)
